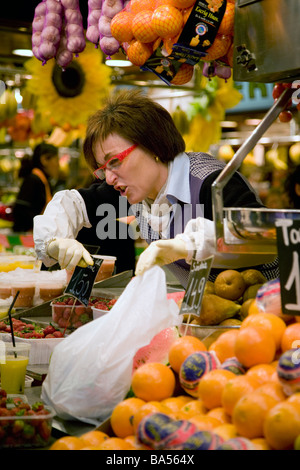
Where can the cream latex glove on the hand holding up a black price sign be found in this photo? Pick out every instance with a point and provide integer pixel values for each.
(69, 253)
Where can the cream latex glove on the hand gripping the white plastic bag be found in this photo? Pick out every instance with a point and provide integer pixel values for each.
(161, 252)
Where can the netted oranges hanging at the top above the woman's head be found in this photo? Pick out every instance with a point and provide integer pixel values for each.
(143, 25)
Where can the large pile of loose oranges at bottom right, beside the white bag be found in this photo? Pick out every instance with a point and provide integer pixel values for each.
(252, 405)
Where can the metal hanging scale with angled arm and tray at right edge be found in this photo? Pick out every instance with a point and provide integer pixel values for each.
(266, 49)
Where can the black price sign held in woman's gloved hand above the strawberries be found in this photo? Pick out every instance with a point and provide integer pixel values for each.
(82, 281)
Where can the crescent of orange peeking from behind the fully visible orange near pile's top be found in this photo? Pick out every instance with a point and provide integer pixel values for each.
(268, 322)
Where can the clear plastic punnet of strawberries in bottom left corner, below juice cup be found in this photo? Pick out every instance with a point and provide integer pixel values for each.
(23, 425)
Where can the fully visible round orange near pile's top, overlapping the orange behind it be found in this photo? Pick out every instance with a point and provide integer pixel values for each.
(254, 346)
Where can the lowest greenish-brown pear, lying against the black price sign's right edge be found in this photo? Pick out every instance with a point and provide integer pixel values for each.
(215, 309)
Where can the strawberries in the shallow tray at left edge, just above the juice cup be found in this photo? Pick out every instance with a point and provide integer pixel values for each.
(30, 330)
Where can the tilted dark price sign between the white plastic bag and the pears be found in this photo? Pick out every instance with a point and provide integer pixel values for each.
(192, 299)
